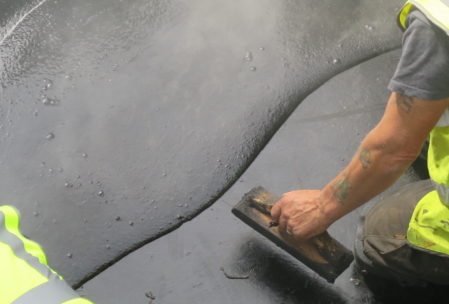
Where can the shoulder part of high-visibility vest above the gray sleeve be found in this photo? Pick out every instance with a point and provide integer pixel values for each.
(436, 11)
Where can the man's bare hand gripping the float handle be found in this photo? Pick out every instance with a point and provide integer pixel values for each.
(300, 214)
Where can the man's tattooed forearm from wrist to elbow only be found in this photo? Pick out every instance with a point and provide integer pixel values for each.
(377, 164)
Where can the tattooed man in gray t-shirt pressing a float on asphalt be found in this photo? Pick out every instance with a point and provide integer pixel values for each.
(405, 237)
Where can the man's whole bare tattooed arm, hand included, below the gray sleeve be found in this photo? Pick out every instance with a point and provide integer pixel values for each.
(384, 154)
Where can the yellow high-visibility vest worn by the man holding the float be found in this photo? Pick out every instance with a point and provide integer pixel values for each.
(429, 225)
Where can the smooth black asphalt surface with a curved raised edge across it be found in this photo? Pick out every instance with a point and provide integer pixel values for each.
(121, 120)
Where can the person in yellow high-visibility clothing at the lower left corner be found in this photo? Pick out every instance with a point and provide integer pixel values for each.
(25, 276)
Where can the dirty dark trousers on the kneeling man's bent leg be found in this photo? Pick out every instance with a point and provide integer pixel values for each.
(381, 246)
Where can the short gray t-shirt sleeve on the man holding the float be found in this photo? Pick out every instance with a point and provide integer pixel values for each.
(423, 70)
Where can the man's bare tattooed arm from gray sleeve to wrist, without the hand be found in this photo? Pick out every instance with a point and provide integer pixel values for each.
(385, 153)
